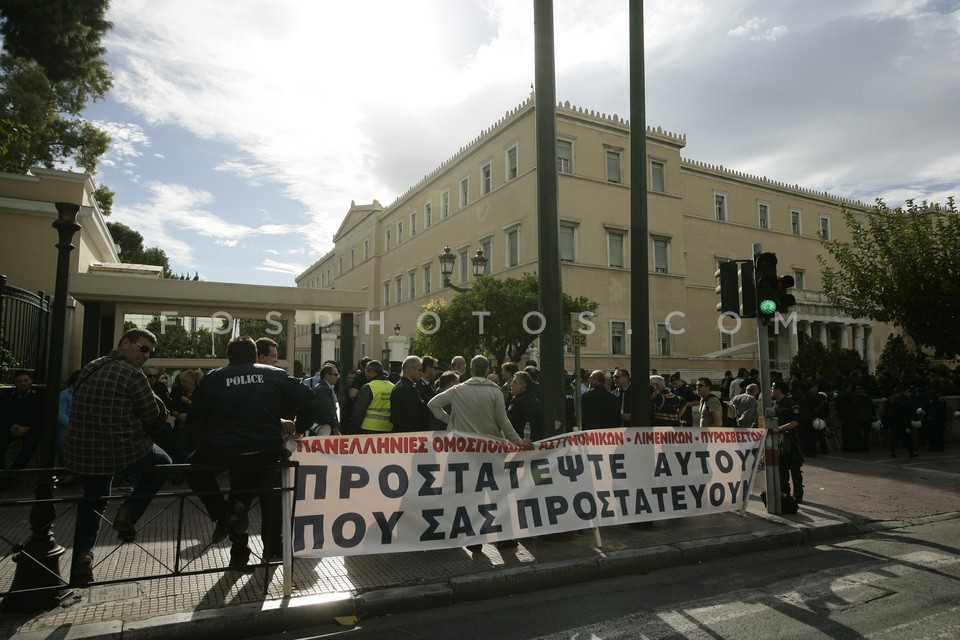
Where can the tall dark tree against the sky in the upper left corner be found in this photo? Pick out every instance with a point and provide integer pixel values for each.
(52, 64)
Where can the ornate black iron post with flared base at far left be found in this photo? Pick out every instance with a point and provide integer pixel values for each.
(38, 561)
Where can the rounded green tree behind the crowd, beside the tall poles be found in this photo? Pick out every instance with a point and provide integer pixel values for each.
(504, 336)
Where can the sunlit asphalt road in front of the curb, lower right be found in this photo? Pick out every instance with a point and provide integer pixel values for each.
(892, 585)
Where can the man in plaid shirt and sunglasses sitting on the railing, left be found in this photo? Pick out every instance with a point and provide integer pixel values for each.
(114, 414)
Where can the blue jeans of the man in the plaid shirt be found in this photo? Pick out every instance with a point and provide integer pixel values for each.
(93, 505)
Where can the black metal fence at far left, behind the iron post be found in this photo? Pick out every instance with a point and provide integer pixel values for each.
(24, 330)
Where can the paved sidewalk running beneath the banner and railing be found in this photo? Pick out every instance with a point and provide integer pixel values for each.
(846, 494)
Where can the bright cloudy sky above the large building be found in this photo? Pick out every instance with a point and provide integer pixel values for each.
(242, 130)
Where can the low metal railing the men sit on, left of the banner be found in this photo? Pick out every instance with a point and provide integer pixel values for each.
(174, 516)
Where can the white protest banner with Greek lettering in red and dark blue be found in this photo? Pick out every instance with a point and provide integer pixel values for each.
(439, 489)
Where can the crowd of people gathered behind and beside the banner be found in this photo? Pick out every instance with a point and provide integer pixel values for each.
(119, 418)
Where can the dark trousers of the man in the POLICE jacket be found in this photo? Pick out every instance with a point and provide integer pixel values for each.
(250, 474)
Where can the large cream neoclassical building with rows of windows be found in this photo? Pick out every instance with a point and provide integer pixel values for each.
(484, 197)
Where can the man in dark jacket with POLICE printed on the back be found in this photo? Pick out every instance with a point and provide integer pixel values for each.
(235, 420)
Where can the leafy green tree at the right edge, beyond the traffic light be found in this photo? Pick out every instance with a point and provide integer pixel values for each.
(901, 266)
